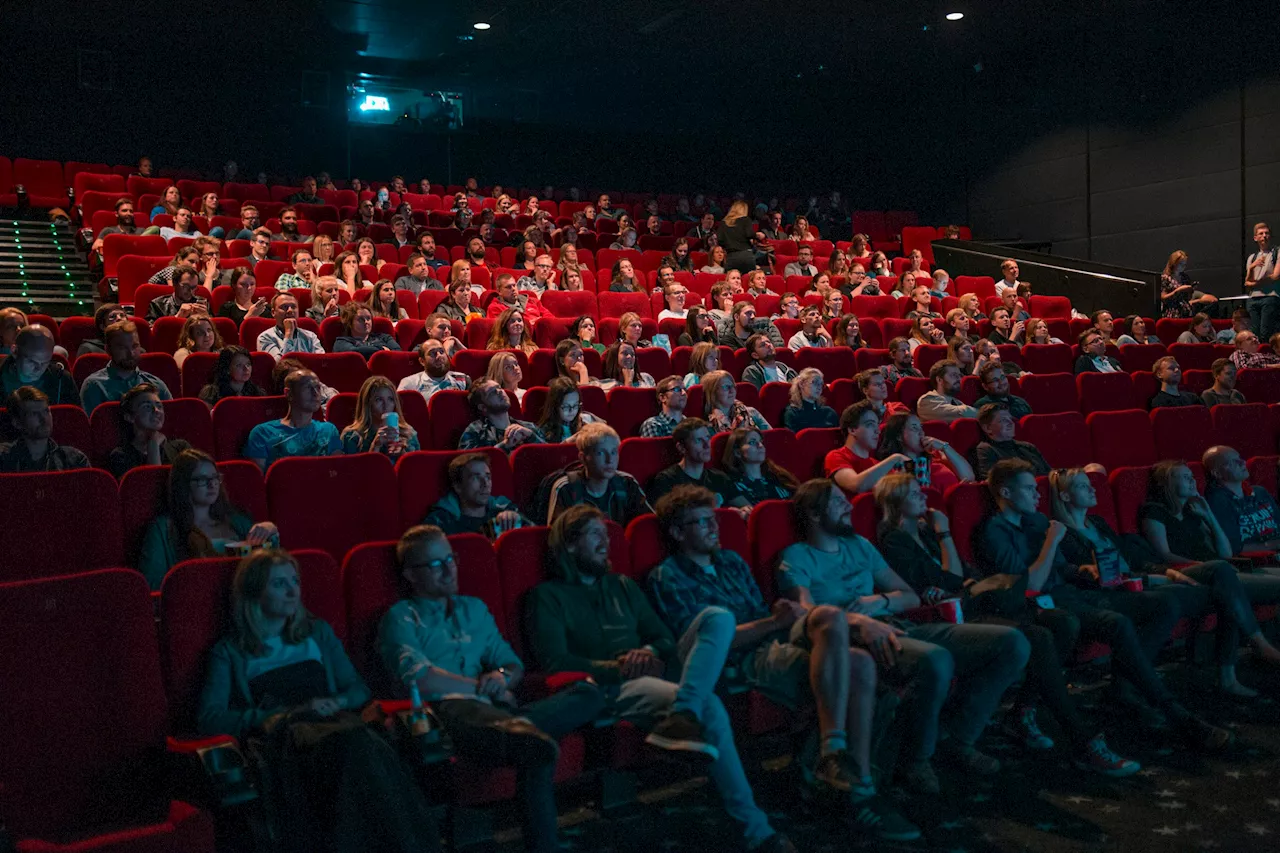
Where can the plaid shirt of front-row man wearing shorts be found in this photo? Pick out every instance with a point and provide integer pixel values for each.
(682, 590)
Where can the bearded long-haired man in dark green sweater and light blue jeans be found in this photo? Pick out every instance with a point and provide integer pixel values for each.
(588, 619)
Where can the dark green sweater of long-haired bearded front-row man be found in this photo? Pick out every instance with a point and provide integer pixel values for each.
(586, 628)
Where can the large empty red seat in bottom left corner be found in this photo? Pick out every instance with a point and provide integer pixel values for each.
(81, 774)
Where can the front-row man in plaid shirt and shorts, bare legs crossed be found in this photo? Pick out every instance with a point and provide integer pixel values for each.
(789, 655)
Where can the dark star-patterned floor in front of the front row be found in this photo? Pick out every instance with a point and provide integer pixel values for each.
(1180, 802)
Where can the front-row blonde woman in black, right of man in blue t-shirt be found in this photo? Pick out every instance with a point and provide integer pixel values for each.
(917, 545)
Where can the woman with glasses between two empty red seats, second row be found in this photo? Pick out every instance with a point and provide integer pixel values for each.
(200, 523)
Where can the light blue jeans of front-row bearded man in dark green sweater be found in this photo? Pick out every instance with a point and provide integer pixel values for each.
(702, 651)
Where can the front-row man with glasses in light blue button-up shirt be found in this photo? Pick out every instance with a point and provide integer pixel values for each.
(447, 650)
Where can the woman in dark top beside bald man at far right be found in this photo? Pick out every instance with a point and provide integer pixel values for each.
(1194, 550)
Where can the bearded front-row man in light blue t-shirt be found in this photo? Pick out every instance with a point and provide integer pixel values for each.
(833, 565)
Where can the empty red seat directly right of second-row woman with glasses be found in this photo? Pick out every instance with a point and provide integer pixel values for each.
(360, 489)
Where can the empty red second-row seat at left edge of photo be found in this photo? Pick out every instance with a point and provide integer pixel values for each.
(44, 507)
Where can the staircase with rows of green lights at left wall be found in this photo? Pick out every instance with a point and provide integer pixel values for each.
(40, 270)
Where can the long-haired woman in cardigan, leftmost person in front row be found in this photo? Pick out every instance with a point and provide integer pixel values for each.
(281, 677)
